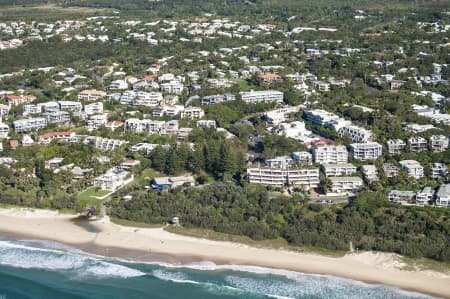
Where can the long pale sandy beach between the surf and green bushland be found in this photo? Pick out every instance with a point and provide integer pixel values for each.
(159, 245)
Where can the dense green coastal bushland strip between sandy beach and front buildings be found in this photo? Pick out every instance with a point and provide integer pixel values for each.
(369, 223)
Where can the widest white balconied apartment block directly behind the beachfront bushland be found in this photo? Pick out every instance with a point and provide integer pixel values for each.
(306, 177)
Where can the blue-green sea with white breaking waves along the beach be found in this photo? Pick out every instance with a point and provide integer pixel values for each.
(40, 269)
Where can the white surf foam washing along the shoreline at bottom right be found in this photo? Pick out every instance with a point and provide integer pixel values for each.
(299, 283)
